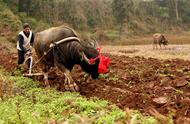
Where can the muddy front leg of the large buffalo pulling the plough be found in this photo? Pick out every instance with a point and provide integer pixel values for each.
(69, 83)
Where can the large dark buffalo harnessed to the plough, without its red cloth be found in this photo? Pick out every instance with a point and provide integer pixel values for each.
(60, 47)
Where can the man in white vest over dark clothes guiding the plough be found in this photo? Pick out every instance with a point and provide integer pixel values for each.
(25, 41)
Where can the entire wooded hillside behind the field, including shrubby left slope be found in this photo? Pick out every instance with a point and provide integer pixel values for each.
(104, 20)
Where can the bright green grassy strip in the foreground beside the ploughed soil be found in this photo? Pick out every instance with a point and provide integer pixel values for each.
(28, 103)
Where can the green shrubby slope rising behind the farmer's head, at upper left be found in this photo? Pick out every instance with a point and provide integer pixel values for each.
(11, 22)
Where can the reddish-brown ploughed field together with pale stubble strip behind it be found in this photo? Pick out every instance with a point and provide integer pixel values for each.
(155, 82)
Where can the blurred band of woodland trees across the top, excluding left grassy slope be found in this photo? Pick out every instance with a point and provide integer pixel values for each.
(126, 16)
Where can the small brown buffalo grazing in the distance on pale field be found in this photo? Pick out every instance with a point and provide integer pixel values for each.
(159, 39)
